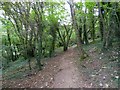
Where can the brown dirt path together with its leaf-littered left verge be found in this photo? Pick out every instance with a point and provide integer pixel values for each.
(60, 71)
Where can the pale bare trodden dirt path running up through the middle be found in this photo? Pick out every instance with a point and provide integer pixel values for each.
(68, 76)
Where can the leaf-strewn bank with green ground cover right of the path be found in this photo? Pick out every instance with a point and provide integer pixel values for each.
(100, 69)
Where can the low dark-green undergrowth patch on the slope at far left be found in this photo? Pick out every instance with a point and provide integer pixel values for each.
(18, 69)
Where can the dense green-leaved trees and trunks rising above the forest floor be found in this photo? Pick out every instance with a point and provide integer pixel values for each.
(37, 29)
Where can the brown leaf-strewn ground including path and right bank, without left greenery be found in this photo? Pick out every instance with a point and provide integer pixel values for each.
(65, 70)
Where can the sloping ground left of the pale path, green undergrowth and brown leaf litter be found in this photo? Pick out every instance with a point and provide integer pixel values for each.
(19, 75)
